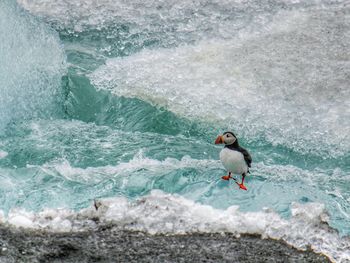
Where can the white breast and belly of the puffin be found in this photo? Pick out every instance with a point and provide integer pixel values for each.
(233, 161)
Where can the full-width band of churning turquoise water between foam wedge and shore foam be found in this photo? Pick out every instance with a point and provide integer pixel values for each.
(79, 161)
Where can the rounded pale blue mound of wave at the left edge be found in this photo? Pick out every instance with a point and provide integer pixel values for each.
(32, 63)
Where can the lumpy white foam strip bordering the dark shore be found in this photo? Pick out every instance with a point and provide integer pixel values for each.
(172, 214)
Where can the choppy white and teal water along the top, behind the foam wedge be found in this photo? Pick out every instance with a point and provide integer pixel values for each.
(119, 28)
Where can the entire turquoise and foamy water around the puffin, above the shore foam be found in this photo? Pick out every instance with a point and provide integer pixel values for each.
(117, 102)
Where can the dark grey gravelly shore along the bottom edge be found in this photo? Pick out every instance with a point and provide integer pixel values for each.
(110, 243)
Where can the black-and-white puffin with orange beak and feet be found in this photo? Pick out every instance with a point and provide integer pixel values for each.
(234, 158)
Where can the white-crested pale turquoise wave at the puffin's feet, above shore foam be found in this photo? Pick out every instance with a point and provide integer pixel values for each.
(199, 180)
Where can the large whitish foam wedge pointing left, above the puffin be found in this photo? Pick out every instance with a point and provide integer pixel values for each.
(279, 84)
